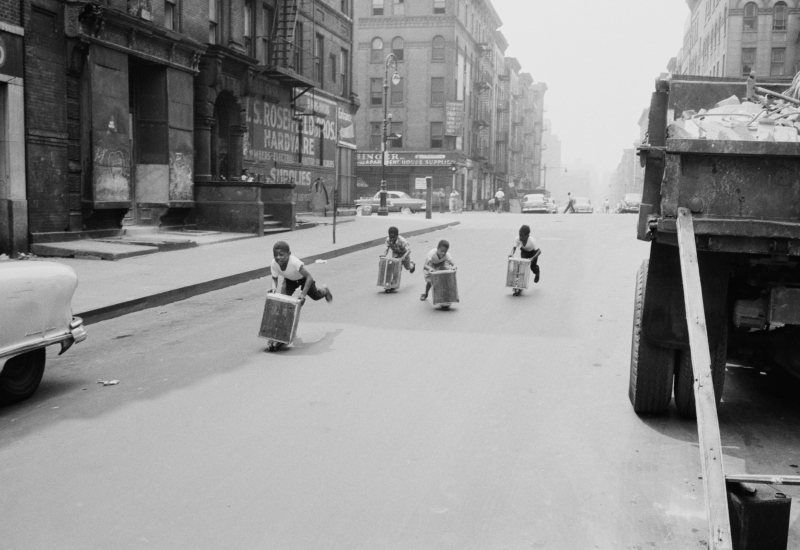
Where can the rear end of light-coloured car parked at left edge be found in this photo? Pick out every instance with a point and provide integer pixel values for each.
(37, 312)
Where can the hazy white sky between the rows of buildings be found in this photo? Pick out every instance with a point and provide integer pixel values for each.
(599, 61)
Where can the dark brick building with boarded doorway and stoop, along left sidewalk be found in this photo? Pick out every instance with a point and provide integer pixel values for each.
(149, 112)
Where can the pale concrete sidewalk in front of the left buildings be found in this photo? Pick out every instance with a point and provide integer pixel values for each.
(108, 289)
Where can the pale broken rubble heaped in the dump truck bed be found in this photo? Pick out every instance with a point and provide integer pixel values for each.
(735, 120)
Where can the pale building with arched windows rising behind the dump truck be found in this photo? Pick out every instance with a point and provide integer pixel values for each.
(734, 37)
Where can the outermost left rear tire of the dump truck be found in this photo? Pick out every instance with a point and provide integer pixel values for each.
(652, 367)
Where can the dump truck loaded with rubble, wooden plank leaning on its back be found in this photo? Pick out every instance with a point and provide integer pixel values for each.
(723, 275)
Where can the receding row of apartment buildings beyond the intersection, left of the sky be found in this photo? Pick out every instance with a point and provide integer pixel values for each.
(461, 113)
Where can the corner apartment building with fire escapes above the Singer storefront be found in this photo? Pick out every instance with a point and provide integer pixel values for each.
(439, 116)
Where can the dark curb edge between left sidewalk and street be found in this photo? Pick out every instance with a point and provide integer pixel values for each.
(175, 295)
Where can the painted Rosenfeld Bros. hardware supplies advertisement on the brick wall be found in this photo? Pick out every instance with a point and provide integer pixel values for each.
(276, 146)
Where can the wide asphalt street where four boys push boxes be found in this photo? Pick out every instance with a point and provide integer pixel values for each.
(503, 423)
